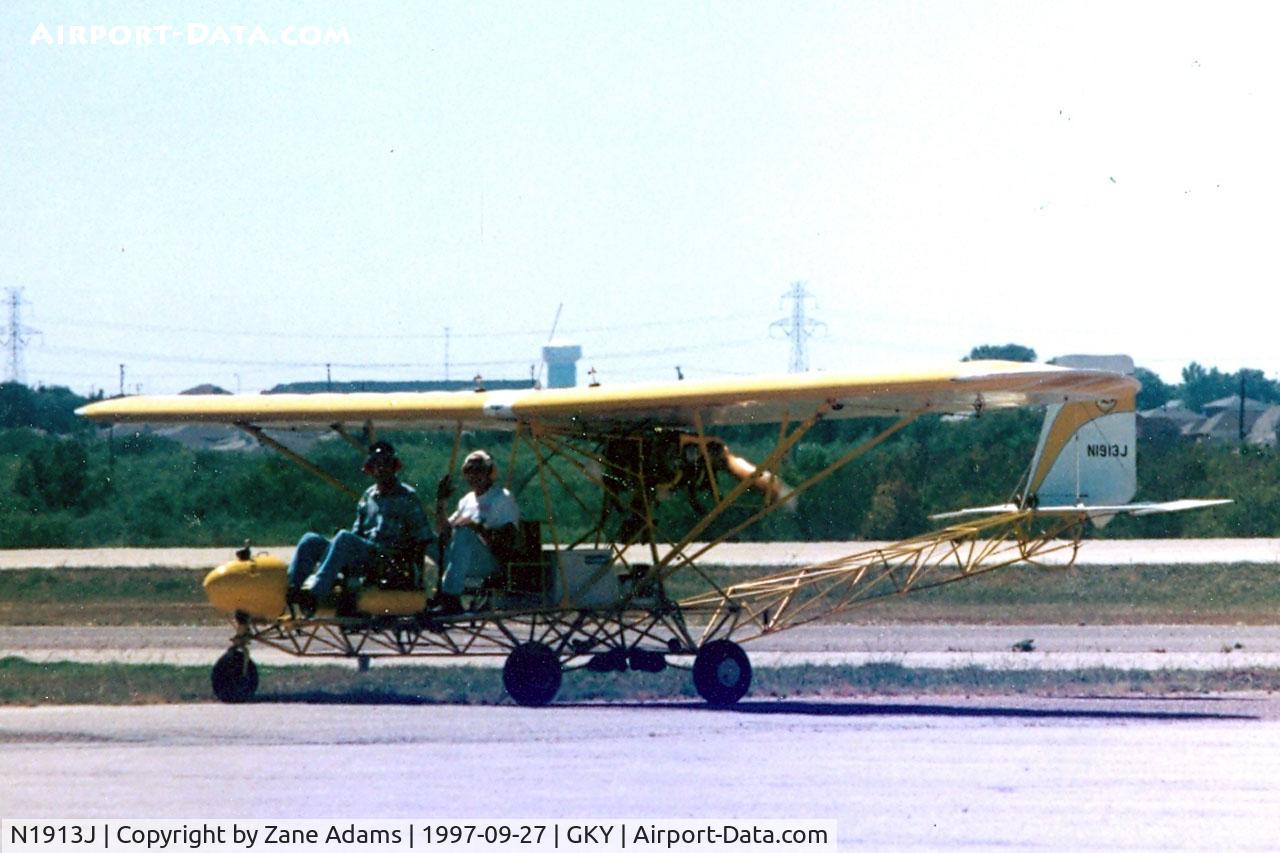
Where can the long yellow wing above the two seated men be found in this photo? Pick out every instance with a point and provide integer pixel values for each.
(976, 386)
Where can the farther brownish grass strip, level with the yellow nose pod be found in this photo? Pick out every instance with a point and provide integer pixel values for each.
(1245, 594)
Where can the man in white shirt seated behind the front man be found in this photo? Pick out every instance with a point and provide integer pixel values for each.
(482, 531)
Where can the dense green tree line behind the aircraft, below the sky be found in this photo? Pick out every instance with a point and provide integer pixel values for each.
(68, 483)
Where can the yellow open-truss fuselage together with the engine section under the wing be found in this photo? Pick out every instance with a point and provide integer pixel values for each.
(619, 478)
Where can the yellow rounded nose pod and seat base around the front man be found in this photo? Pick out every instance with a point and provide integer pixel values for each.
(257, 587)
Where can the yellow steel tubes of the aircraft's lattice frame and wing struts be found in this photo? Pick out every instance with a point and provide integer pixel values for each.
(742, 612)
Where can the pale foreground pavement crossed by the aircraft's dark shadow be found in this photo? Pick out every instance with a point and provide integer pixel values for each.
(909, 774)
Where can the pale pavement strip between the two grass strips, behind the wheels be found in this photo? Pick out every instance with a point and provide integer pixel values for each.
(1144, 647)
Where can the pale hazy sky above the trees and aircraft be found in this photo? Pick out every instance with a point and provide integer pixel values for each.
(1068, 176)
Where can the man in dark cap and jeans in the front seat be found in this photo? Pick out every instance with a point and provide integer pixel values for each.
(391, 530)
